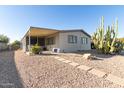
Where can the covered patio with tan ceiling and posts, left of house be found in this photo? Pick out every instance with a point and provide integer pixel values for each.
(38, 36)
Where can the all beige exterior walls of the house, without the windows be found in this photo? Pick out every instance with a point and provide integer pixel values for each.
(61, 41)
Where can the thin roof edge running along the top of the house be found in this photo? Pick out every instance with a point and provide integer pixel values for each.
(72, 30)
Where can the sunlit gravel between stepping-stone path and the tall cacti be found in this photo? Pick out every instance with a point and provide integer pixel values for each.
(113, 64)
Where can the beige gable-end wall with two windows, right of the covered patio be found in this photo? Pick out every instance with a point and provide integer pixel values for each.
(67, 47)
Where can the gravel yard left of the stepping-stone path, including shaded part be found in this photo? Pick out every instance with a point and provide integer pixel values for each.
(44, 71)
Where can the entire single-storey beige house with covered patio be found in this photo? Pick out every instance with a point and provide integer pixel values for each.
(65, 40)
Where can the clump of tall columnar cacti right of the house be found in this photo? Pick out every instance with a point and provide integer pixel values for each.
(105, 42)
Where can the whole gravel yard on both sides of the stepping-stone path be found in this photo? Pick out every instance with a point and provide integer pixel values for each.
(21, 70)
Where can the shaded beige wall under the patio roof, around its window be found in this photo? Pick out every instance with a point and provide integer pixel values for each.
(56, 45)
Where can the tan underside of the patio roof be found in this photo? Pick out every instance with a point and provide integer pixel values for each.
(41, 32)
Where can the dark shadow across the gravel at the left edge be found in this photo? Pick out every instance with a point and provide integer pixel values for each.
(9, 76)
